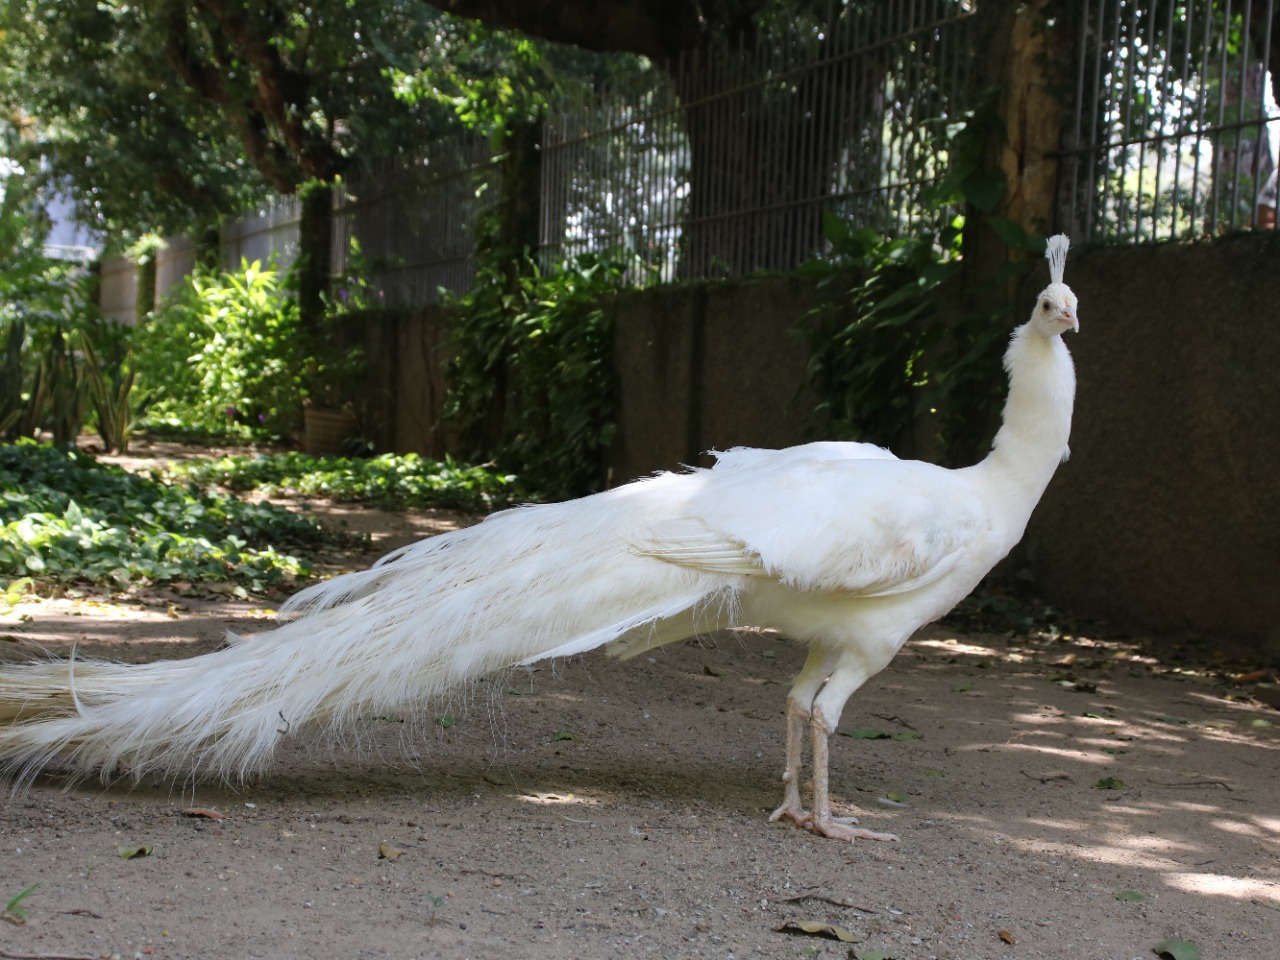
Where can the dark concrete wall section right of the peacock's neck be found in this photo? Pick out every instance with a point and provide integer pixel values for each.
(1168, 515)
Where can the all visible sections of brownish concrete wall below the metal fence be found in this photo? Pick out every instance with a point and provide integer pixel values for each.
(1165, 520)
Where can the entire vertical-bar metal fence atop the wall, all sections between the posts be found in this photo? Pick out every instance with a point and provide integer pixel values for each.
(728, 163)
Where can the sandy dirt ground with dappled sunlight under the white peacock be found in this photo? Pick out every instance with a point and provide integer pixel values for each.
(597, 810)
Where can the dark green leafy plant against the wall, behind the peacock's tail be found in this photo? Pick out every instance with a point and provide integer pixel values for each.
(532, 386)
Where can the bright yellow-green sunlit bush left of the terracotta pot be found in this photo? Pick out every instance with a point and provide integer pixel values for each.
(226, 355)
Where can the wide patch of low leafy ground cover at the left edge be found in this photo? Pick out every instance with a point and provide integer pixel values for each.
(67, 519)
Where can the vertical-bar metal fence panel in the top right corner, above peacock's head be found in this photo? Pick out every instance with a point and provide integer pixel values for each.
(1176, 127)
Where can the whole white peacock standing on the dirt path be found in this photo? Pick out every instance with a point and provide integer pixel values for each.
(839, 546)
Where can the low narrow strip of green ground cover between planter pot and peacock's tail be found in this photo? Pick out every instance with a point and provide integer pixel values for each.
(388, 481)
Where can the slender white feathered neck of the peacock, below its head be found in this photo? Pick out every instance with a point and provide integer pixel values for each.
(1037, 420)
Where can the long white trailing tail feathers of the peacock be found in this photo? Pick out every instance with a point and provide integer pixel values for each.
(527, 584)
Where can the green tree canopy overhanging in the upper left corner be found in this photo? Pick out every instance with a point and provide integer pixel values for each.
(164, 115)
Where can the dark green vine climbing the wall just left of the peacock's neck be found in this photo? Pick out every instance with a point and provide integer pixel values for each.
(886, 358)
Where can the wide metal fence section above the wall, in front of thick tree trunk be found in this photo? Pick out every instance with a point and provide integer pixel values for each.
(726, 164)
